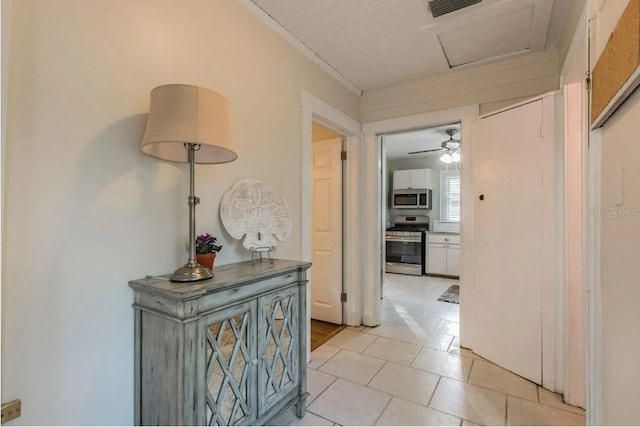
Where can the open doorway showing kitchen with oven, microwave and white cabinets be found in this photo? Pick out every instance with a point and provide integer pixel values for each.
(420, 197)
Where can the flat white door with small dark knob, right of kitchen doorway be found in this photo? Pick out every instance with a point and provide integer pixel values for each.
(507, 245)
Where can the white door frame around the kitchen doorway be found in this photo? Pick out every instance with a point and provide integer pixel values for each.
(373, 231)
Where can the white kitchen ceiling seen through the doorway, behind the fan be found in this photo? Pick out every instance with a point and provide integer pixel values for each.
(399, 145)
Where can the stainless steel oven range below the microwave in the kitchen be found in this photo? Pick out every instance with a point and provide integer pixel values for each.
(405, 245)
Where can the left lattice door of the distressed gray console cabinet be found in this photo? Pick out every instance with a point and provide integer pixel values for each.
(231, 360)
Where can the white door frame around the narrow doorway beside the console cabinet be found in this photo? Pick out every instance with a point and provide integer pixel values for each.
(316, 110)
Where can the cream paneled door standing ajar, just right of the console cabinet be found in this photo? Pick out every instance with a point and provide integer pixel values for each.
(326, 245)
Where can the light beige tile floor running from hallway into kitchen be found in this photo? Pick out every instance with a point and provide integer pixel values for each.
(411, 370)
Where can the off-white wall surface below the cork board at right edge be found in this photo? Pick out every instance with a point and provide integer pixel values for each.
(620, 225)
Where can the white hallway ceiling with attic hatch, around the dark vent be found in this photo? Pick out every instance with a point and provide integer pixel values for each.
(374, 43)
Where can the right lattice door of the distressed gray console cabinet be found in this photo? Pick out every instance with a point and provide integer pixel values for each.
(278, 335)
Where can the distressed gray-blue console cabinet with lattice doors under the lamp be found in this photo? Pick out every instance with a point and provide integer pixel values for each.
(224, 351)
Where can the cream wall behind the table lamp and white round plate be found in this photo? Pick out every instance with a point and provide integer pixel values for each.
(85, 211)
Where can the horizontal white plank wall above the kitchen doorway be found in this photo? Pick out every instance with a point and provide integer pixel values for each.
(493, 86)
